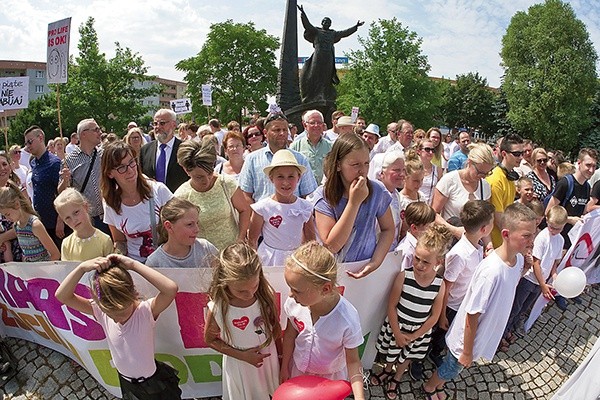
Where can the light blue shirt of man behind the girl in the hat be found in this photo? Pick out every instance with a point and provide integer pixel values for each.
(254, 180)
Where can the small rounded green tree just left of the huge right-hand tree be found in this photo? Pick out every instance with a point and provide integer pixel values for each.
(469, 103)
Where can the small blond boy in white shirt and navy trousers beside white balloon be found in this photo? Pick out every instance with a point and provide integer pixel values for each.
(547, 253)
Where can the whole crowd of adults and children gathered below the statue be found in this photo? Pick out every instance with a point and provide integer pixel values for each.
(476, 224)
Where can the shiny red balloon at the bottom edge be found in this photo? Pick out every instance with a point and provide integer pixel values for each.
(312, 387)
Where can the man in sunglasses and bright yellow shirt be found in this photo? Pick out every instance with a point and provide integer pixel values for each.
(502, 181)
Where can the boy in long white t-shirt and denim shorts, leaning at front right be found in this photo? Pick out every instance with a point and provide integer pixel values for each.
(483, 314)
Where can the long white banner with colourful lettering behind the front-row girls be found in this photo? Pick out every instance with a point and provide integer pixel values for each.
(31, 311)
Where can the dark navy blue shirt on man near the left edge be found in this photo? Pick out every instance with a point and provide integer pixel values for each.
(44, 179)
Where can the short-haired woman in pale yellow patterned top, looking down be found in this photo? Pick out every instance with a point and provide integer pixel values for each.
(224, 213)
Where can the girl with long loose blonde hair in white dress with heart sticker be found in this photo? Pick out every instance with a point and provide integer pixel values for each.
(242, 323)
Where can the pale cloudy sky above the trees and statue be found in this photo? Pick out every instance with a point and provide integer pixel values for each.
(459, 36)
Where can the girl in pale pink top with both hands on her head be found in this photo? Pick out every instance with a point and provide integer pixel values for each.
(128, 322)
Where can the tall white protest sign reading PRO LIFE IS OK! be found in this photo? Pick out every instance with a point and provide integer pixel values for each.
(58, 51)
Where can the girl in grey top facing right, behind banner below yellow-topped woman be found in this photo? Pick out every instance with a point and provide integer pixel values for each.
(180, 247)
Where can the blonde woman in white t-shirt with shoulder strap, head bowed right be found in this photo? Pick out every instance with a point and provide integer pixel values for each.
(455, 188)
